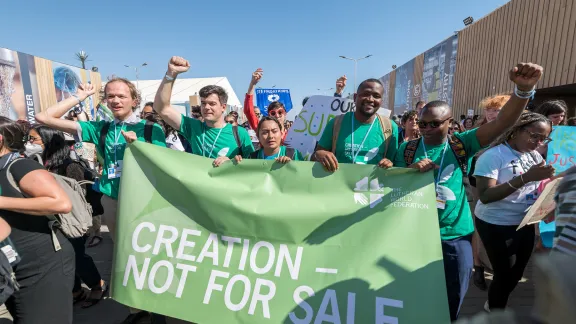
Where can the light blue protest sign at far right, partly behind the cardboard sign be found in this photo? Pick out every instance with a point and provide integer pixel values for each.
(560, 155)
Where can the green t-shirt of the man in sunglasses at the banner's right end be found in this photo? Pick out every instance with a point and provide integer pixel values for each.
(456, 219)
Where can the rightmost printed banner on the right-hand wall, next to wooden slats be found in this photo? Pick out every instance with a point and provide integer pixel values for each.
(439, 70)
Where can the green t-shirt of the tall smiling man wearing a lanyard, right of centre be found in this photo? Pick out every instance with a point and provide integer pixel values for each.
(373, 147)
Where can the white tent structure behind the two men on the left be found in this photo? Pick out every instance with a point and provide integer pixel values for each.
(184, 88)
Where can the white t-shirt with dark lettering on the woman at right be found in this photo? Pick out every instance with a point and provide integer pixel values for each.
(503, 164)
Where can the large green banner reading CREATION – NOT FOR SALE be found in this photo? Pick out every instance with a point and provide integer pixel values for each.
(261, 242)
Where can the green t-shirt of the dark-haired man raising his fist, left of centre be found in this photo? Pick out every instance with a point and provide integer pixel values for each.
(216, 141)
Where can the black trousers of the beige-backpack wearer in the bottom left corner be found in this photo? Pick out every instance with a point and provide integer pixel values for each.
(45, 277)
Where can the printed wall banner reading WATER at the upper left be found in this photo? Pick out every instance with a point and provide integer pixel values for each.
(27, 87)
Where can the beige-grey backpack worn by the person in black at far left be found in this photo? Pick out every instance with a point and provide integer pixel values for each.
(73, 224)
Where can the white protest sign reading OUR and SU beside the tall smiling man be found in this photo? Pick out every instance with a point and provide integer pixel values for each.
(312, 120)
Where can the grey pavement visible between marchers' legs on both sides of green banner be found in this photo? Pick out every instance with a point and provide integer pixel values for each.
(109, 311)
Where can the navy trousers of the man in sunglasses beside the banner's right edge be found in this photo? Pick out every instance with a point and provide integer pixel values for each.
(458, 263)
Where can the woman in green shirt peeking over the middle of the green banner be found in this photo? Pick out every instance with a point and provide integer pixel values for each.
(270, 137)
